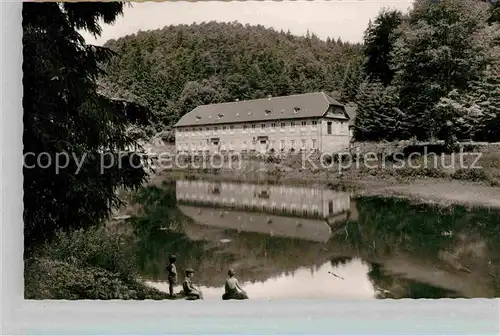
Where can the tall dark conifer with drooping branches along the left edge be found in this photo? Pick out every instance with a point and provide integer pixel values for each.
(67, 119)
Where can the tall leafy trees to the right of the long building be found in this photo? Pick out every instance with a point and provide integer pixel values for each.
(432, 74)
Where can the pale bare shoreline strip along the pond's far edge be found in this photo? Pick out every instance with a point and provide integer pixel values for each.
(439, 191)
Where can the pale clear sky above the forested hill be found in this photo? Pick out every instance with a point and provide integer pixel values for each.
(346, 19)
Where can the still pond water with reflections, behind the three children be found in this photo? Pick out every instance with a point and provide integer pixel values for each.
(306, 242)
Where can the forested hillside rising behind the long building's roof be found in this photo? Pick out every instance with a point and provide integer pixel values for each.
(174, 69)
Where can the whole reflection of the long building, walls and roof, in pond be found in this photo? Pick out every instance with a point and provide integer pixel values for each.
(287, 211)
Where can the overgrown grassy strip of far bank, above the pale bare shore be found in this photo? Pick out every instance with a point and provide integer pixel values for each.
(478, 164)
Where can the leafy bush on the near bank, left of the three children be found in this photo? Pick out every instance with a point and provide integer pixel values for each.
(85, 264)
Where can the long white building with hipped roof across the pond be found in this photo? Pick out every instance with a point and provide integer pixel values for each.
(310, 122)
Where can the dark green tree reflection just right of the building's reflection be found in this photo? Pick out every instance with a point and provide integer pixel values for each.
(386, 224)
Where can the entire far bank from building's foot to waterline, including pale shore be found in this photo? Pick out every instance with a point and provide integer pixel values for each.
(435, 179)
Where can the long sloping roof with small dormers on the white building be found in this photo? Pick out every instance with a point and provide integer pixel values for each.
(305, 105)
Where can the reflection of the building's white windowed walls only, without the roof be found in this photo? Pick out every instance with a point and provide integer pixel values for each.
(278, 199)
